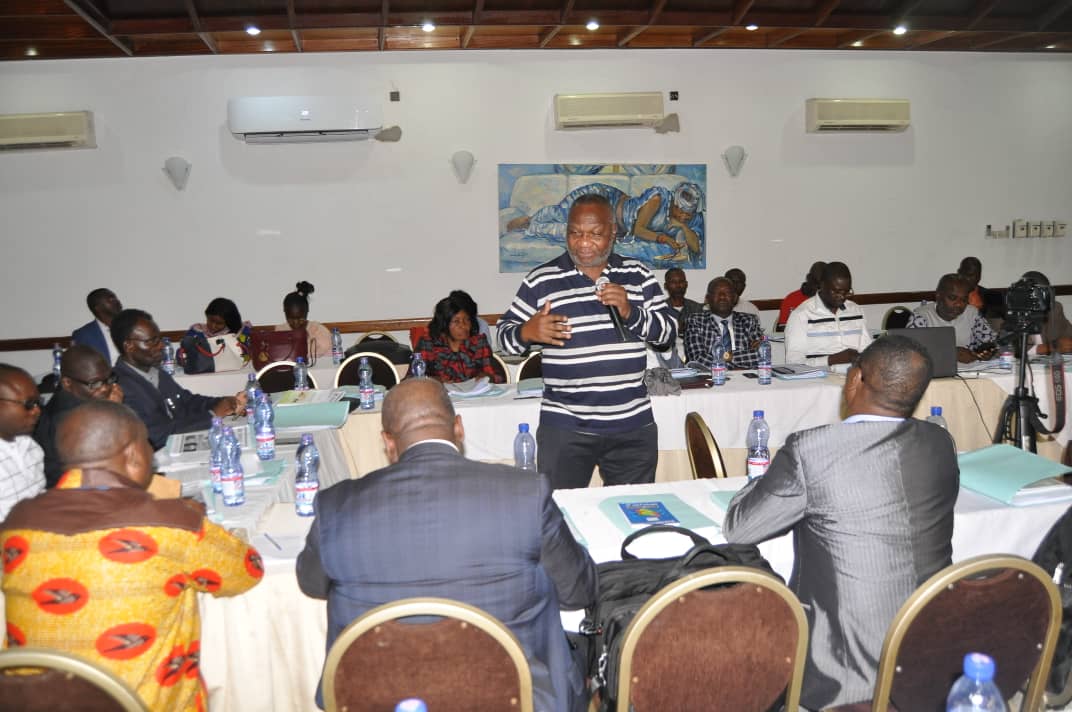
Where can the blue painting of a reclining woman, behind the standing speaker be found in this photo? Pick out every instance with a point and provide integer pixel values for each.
(659, 209)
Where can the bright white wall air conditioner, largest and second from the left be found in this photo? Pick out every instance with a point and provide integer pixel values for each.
(303, 120)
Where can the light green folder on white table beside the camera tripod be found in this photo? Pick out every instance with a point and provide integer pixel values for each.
(1003, 471)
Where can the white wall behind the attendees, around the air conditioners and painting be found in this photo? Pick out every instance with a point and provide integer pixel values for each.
(384, 230)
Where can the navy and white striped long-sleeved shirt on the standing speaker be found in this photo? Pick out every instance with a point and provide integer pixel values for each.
(594, 383)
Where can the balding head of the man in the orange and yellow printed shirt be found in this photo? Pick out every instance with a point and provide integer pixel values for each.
(102, 434)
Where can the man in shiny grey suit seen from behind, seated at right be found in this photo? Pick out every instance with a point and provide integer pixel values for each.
(870, 502)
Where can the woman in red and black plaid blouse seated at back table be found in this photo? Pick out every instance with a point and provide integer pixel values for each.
(454, 350)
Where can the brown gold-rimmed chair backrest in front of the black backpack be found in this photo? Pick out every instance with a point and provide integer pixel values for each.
(732, 649)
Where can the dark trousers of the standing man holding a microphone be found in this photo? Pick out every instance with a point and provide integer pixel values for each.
(569, 457)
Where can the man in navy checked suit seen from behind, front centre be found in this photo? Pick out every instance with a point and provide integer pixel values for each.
(434, 524)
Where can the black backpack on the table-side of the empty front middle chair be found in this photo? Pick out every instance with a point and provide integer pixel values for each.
(627, 586)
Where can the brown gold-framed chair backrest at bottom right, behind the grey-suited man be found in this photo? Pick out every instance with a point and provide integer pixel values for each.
(1001, 605)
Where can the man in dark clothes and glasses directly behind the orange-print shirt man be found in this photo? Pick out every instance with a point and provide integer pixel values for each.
(84, 376)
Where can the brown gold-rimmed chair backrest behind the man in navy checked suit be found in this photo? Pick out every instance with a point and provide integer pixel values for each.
(467, 660)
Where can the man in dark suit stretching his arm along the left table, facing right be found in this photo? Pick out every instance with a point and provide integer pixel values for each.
(165, 407)
